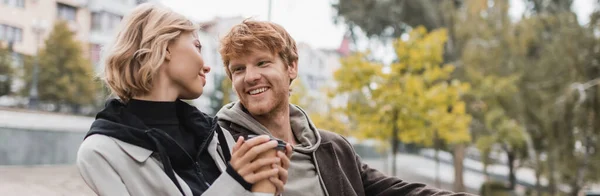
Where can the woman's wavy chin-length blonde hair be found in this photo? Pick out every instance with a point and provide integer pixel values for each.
(140, 48)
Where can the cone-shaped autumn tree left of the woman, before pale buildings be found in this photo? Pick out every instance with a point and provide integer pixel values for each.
(65, 76)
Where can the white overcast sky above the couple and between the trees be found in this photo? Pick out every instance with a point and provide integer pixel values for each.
(308, 21)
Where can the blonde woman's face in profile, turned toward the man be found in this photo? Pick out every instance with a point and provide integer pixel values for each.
(185, 67)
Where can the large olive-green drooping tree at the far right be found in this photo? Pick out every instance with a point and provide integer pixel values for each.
(536, 60)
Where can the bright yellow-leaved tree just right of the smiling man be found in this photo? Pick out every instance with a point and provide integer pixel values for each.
(415, 102)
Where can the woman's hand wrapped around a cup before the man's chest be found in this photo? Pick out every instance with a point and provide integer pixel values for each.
(243, 159)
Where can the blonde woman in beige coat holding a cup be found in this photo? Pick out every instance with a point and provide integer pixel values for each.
(148, 141)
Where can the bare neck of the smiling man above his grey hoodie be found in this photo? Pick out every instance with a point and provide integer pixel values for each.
(278, 123)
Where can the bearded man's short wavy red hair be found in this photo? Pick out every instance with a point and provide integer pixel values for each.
(250, 35)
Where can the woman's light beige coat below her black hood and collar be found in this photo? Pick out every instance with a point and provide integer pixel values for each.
(112, 167)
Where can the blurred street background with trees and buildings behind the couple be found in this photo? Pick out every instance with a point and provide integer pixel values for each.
(492, 97)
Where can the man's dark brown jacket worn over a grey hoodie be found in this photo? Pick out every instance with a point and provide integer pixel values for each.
(353, 177)
